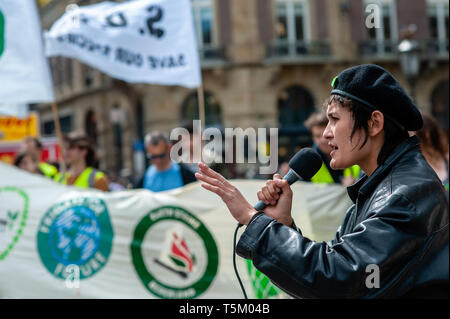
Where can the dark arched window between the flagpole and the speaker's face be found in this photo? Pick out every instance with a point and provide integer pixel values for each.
(295, 104)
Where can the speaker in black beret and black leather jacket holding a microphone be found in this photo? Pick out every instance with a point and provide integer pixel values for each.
(393, 242)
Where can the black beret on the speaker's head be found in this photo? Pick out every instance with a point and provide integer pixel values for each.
(377, 89)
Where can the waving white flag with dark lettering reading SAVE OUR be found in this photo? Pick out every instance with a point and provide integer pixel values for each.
(141, 41)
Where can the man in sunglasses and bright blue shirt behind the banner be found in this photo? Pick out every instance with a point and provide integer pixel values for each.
(163, 173)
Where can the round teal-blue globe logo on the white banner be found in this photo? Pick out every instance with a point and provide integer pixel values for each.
(75, 232)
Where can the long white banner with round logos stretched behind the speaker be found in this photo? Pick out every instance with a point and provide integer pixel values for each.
(61, 242)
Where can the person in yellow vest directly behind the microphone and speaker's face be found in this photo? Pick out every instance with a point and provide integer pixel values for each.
(316, 124)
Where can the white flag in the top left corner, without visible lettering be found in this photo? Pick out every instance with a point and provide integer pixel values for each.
(24, 72)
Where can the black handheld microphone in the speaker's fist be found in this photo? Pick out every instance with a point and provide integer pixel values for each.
(303, 165)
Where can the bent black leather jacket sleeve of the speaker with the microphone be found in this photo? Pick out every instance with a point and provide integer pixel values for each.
(337, 269)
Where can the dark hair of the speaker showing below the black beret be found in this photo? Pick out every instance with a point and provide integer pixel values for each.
(393, 134)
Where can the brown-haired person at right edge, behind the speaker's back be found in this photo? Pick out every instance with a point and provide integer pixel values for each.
(434, 146)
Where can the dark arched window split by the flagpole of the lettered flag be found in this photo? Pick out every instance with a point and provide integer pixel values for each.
(213, 111)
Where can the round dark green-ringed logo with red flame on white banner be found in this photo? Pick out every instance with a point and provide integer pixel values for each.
(174, 254)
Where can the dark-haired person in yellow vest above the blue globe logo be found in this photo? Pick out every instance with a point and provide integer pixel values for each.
(80, 157)
